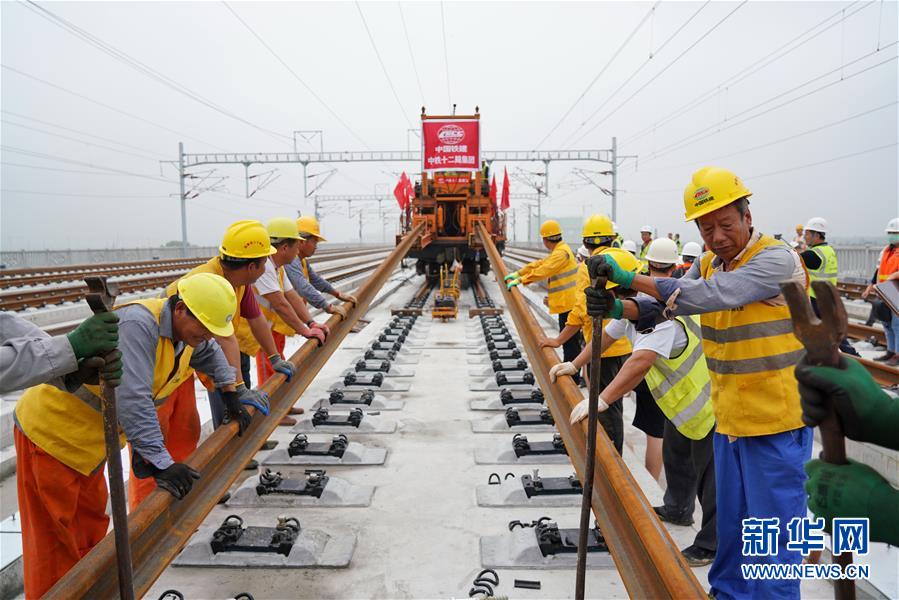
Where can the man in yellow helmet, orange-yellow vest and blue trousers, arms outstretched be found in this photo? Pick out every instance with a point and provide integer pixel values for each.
(761, 443)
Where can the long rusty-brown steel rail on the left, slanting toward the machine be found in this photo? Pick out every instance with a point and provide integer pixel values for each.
(161, 526)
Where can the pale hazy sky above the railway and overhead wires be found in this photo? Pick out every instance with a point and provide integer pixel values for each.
(799, 98)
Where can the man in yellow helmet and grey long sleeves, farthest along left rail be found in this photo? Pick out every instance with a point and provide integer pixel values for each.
(308, 284)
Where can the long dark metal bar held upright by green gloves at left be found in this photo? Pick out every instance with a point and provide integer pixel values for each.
(100, 297)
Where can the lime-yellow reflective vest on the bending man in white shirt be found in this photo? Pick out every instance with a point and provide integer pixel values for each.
(681, 385)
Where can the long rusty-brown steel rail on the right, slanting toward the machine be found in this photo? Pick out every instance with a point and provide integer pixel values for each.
(649, 562)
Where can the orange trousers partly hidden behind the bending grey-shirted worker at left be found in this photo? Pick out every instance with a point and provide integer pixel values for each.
(180, 425)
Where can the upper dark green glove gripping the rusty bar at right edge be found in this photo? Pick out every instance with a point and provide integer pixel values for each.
(866, 413)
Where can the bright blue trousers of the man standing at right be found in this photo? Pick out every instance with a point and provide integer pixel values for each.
(757, 477)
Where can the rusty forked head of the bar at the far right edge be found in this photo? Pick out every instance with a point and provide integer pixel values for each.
(821, 337)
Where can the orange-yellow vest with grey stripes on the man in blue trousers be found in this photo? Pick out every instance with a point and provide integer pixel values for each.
(751, 352)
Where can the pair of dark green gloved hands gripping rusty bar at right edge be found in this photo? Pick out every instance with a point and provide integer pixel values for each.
(866, 414)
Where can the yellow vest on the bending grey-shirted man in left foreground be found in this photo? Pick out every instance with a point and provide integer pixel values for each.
(69, 427)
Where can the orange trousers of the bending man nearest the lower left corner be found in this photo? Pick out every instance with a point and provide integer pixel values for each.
(63, 514)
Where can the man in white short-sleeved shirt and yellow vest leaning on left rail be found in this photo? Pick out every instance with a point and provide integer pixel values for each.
(282, 306)
